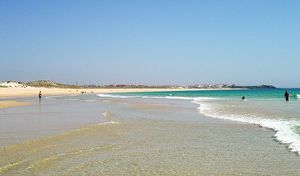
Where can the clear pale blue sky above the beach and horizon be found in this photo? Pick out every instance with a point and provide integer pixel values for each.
(244, 42)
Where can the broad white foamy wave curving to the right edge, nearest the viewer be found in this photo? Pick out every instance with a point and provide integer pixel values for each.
(284, 129)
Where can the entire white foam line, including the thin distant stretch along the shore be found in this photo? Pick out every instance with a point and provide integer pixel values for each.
(283, 128)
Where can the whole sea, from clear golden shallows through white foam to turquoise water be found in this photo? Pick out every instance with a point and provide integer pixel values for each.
(205, 132)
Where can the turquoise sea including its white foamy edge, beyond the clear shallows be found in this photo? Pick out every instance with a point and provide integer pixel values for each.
(264, 107)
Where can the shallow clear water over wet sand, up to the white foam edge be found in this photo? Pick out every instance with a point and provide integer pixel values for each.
(152, 137)
